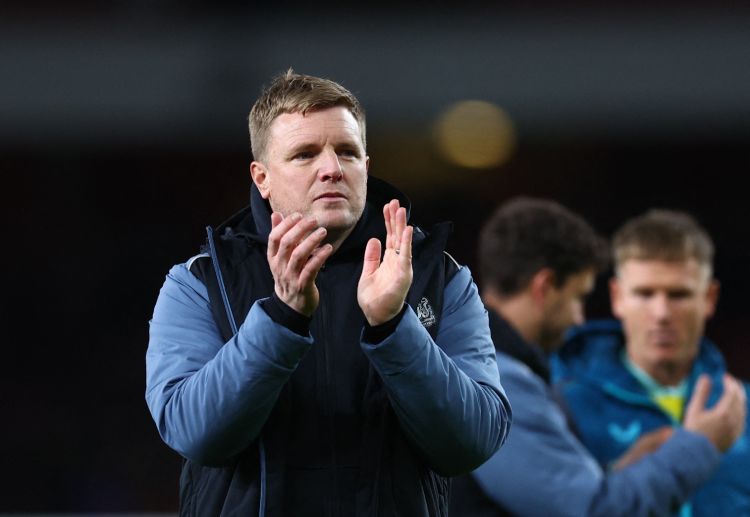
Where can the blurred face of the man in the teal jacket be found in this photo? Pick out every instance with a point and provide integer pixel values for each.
(663, 307)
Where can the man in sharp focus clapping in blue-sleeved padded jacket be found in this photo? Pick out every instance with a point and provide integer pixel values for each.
(288, 365)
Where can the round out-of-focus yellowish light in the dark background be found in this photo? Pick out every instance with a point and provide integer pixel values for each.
(475, 134)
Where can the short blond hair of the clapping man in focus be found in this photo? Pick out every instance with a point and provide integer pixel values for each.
(291, 92)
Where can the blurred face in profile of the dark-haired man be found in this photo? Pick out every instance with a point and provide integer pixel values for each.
(564, 307)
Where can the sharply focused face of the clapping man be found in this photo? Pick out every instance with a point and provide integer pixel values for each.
(315, 164)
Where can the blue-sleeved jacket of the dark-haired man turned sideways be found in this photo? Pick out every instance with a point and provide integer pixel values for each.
(543, 470)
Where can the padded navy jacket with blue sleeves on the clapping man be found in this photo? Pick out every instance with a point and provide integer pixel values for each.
(317, 425)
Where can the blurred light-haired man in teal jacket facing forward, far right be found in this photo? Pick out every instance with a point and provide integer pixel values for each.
(624, 381)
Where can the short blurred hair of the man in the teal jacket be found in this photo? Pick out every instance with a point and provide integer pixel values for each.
(663, 235)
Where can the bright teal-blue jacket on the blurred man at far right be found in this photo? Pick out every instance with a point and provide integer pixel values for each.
(612, 410)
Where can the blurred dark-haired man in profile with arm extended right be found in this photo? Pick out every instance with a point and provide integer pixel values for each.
(537, 262)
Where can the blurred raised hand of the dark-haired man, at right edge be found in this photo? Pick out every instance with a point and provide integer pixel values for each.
(723, 423)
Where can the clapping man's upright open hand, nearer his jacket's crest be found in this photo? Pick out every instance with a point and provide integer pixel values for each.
(383, 285)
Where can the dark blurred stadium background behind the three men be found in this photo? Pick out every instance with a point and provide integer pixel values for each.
(124, 133)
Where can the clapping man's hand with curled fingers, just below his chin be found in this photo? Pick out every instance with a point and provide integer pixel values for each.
(295, 256)
